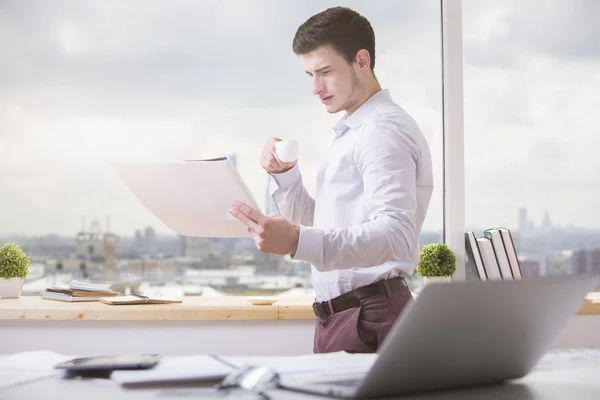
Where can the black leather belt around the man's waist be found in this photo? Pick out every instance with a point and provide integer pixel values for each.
(352, 298)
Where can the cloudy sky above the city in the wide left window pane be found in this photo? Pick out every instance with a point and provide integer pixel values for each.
(85, 83)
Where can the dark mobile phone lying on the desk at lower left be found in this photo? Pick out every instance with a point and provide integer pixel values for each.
(110, 363)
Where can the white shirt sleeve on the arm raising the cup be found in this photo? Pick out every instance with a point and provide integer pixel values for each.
(291, 197)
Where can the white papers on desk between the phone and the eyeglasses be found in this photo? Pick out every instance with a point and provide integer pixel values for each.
(188, 369)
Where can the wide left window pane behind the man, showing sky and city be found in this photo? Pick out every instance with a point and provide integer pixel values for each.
(86, 83)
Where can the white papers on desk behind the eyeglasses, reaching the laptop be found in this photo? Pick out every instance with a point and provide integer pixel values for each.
(338, 362)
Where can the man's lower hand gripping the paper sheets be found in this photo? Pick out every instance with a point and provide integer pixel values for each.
(271, 233)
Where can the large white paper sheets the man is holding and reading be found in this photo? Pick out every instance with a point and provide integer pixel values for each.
(191, 197)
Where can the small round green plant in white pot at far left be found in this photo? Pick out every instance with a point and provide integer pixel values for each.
(14, 265)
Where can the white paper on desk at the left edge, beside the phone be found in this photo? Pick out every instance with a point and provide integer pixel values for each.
(29, 366)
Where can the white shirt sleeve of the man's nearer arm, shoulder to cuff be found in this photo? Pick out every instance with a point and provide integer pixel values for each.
(387, 159)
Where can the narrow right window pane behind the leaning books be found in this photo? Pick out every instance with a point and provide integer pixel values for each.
(531, 95)
